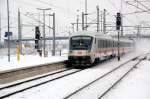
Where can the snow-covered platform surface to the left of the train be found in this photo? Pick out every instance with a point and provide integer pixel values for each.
(28, 60)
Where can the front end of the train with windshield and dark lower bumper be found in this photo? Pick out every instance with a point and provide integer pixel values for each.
(80, 50)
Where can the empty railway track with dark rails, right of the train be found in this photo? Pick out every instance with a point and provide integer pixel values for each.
(78, 91)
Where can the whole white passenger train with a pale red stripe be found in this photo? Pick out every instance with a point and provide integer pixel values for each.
(87, 47)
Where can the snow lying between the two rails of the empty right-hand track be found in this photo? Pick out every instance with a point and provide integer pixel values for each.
(95, 90)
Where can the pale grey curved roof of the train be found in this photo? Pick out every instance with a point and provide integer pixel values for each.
(98, 35)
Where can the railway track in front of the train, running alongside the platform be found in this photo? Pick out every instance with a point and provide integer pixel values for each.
(12, 89)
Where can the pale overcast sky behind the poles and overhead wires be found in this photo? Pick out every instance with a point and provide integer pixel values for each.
(66, 13)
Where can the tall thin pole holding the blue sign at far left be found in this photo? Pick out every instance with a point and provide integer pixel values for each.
(8, 31)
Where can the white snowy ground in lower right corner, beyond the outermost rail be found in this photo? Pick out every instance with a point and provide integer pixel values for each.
(135, 86)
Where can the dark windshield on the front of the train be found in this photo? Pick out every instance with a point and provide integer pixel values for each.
(81, 43)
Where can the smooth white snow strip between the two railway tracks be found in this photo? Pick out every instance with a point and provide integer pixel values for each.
(58, 89)
